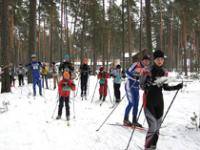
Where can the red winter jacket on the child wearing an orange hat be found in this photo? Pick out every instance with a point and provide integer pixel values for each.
(65, 86)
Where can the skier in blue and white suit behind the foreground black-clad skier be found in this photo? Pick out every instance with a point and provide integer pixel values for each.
(132, 90)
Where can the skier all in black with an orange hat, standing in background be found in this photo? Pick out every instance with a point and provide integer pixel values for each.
(84, 75)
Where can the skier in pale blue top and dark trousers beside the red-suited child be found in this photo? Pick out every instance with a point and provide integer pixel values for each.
(116, 73)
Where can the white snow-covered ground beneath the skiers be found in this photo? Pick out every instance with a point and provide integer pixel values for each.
(27, 125)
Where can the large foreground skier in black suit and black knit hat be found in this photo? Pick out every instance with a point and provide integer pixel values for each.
(153, 98)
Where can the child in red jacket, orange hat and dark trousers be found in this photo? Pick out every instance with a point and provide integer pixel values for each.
(64, 87)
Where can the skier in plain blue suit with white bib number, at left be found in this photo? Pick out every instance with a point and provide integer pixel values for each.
(35, 68)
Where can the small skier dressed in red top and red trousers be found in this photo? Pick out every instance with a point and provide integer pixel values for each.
(103, 76)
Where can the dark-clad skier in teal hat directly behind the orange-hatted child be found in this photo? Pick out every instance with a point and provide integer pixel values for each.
(66, 65)
